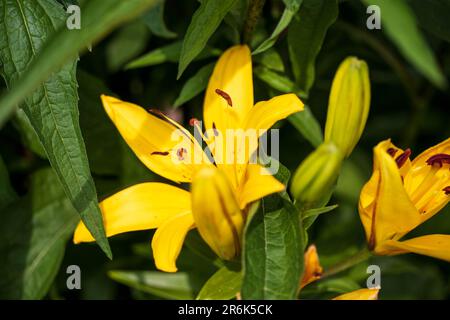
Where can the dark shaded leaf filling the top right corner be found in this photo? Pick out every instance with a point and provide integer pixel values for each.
(433, 16)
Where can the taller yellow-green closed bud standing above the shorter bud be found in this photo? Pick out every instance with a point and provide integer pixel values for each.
(349, 104)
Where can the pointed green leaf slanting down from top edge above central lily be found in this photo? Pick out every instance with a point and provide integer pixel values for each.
(203, 24)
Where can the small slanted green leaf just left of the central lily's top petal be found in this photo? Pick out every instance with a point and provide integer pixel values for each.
(195, 85)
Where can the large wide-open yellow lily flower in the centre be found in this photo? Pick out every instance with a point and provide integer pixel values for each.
(220, 192)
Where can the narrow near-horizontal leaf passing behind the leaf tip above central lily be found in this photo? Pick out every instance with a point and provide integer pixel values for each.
(169, 53)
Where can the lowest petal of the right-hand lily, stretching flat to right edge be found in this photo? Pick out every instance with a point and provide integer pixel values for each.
(435, 245)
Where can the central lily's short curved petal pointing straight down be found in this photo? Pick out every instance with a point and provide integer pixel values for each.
(168, 241)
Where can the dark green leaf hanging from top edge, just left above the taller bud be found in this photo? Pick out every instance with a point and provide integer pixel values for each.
(305, 37)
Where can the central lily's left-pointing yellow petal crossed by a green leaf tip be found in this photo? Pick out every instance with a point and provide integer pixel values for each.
(140, 207)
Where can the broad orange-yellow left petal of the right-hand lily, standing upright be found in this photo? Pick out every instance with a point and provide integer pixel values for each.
(385, 208)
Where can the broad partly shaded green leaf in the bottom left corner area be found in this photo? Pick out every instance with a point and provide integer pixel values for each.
(33, 235)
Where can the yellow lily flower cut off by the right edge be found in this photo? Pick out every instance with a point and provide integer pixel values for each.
(401, 195)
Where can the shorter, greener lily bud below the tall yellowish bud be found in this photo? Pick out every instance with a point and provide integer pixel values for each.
(316, 176)
